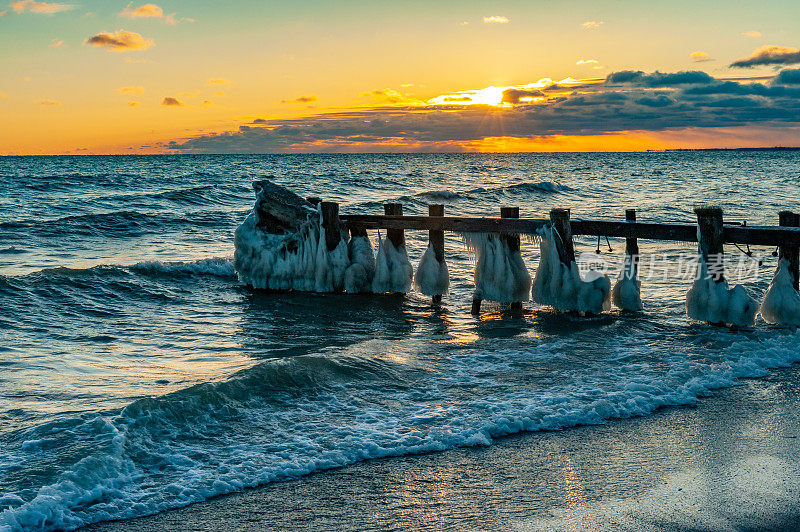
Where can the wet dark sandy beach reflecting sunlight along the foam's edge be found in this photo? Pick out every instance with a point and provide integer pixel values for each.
(729, 463)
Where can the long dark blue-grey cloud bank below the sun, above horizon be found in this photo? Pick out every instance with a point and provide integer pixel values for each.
(632, 101)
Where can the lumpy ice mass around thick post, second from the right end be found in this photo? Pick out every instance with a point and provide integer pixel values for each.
(713, 302)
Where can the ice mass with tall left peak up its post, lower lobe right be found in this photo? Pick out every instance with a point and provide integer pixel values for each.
(562, 287)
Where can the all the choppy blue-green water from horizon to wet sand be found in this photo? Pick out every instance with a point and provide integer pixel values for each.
(137, 374)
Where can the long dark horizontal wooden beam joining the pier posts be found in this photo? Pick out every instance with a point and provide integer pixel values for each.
(753, 235)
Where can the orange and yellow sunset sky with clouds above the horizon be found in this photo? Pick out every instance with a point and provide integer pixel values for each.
(307, 76)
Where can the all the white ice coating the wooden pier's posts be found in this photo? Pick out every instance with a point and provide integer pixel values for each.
(302, 261)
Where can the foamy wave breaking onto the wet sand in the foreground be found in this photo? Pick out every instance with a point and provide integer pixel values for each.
(286, 418)
